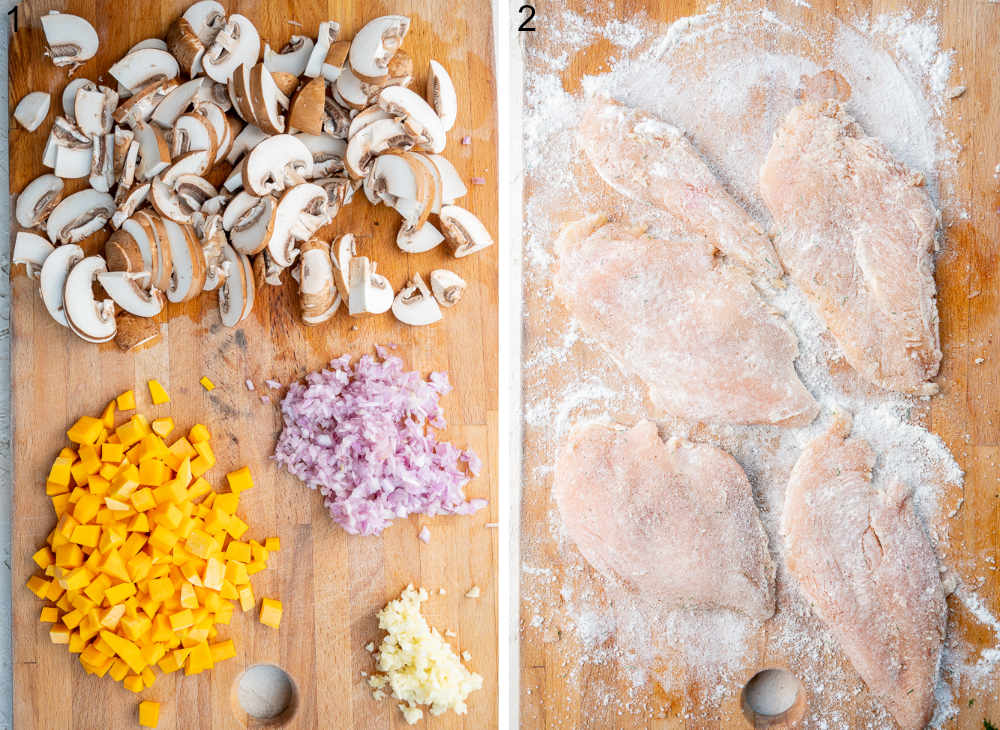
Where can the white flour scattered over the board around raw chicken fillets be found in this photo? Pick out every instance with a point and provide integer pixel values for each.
(726, 77)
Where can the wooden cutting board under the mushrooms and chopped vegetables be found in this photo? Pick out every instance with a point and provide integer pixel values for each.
(331, 583)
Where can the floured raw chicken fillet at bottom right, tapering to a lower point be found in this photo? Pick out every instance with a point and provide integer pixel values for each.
(869, 569)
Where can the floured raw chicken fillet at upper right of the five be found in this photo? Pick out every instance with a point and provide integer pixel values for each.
(855, 231)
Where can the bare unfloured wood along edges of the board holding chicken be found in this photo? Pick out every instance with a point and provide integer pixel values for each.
(553, 696)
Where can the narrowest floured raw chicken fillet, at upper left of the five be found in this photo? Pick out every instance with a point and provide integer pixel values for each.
(647, 159)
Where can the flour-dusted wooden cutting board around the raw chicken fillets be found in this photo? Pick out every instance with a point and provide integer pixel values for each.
(574, 670)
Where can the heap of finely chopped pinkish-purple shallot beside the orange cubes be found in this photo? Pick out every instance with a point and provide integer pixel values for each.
(365, 436)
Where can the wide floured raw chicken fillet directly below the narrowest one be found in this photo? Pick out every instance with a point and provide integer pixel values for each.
(685, 321)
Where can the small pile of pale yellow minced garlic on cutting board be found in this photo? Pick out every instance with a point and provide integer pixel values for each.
(417, 664)
